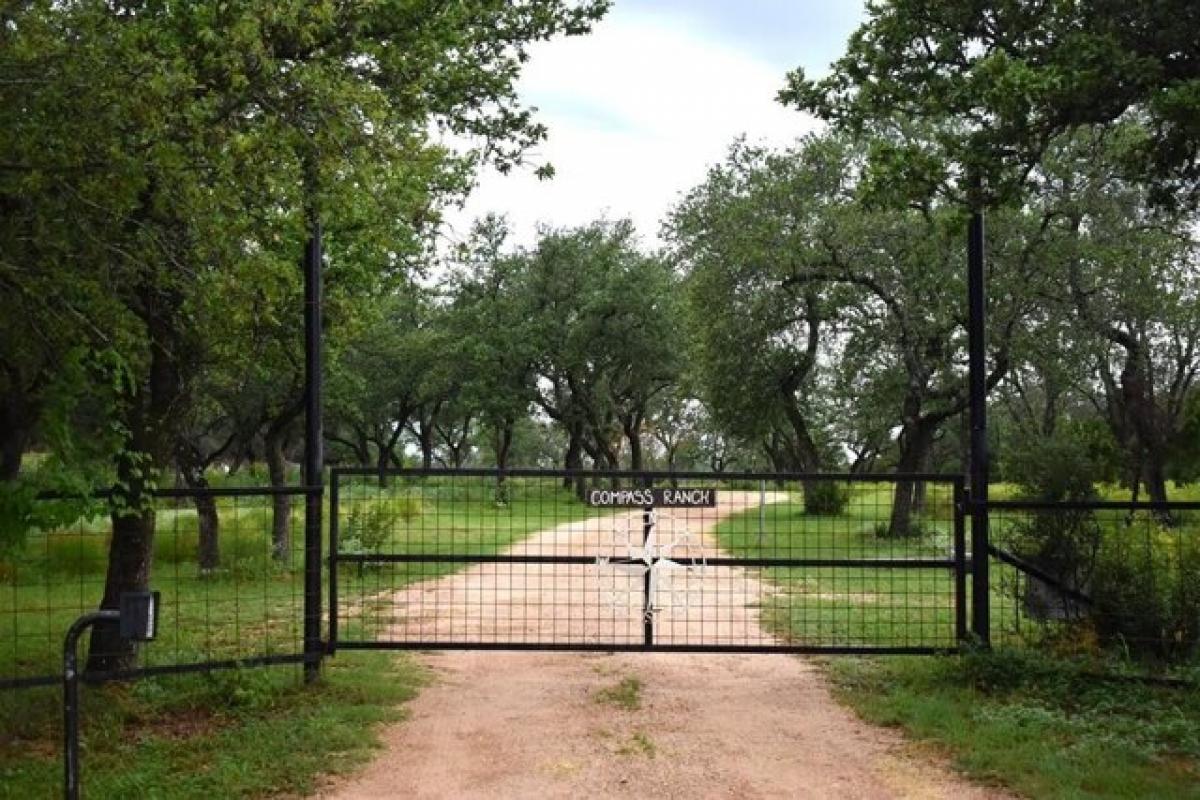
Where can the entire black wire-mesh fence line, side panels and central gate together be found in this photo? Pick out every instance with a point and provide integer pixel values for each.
(575, 561)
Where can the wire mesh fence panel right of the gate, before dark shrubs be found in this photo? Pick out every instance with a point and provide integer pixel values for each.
(1088, 576)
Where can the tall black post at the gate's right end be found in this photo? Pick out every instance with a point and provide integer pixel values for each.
(977, 314)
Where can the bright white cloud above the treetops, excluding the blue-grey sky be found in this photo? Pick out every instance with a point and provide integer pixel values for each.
(637, 112)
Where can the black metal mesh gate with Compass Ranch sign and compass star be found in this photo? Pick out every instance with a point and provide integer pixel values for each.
(589, 561)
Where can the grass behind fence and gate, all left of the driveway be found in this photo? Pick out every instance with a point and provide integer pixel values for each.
(254, 604)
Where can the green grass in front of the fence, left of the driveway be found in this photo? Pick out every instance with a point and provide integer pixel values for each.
(233, 735)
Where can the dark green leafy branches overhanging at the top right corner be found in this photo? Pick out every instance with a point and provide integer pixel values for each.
(998, 82)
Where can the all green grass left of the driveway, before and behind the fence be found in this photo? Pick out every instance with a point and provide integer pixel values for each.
(243, 733)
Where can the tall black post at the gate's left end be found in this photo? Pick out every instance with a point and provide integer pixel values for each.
(314, 458)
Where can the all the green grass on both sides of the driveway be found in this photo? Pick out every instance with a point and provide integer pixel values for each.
(1042, 726)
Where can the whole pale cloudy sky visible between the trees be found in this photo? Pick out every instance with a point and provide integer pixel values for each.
(640, 109)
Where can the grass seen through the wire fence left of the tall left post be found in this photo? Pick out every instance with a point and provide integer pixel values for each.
(251, 606)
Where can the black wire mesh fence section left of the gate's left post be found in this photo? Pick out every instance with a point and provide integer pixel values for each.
(229, 564)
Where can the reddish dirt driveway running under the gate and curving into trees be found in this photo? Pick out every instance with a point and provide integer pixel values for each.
(542, 725)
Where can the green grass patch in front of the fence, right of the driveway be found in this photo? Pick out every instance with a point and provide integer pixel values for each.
(1040, 726)
